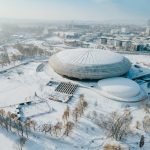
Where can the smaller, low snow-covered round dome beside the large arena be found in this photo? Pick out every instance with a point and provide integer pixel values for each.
(121, 89)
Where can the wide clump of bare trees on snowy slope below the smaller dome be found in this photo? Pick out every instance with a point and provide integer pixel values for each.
(116, 124)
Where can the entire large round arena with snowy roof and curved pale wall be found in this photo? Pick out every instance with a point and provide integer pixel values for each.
(89, 63)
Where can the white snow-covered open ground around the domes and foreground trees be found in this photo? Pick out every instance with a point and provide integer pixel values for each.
(20, 85)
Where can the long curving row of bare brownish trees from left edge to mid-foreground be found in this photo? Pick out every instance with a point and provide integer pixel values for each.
(12, 123)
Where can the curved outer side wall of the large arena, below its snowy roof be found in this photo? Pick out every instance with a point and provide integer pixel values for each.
(90, 71)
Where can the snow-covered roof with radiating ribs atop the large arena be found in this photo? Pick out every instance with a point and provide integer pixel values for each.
(89, 56)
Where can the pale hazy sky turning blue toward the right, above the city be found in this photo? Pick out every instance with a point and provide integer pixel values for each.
(75, 9)
